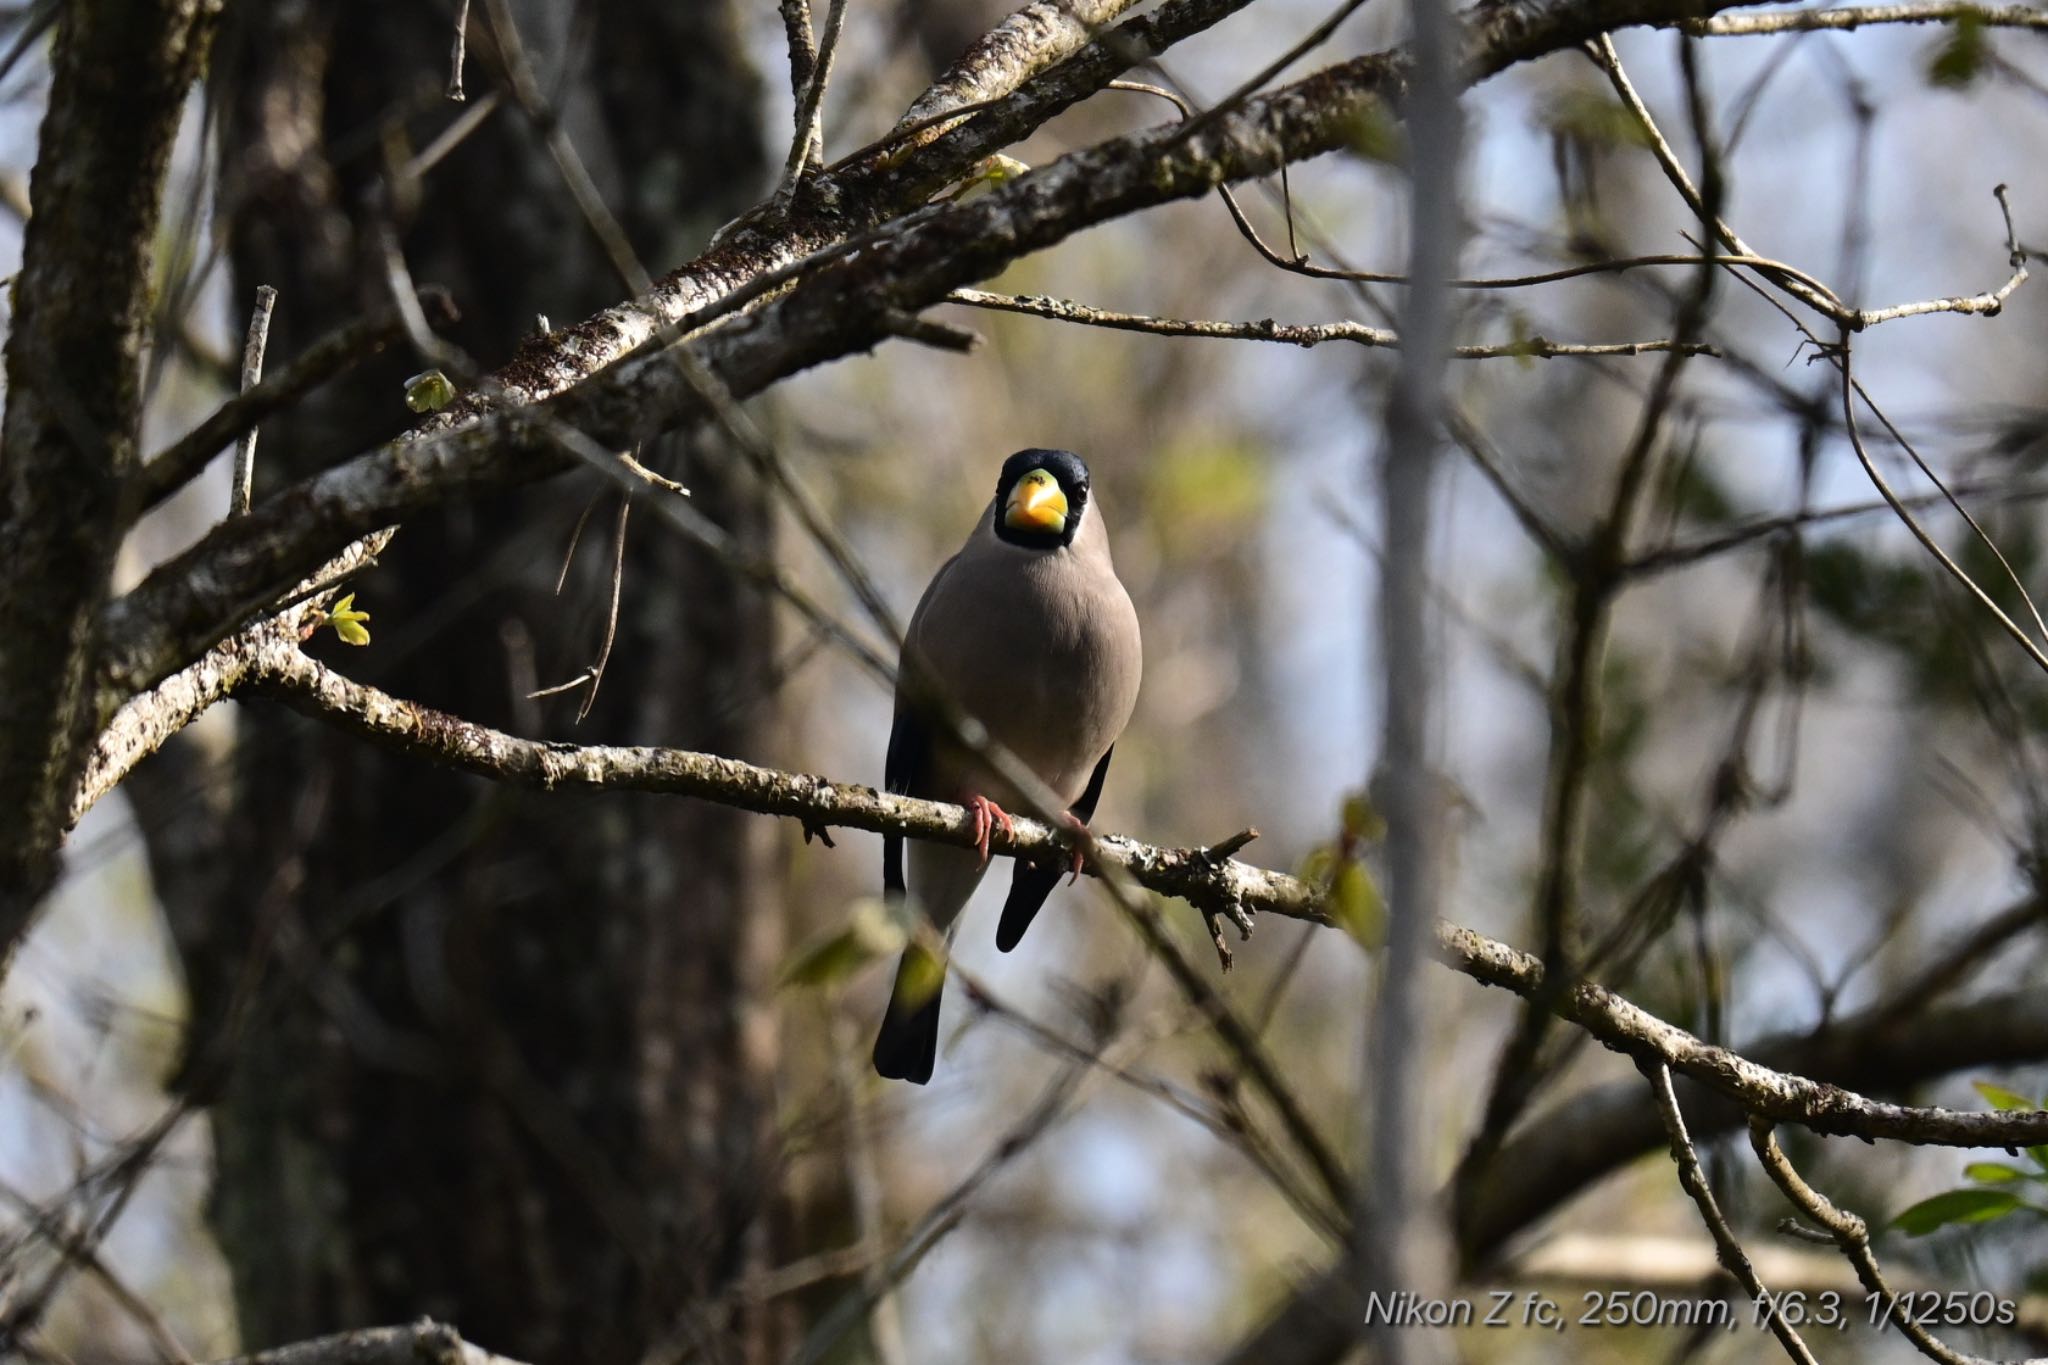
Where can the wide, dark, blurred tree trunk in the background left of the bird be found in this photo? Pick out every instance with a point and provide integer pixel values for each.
(507, 1061)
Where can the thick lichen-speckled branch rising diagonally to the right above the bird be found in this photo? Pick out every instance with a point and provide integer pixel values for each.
(845, 302)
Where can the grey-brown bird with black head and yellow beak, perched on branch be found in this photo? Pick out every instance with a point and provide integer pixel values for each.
(1029, 631)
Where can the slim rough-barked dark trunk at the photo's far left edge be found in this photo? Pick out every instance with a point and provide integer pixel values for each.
(81, 308)
